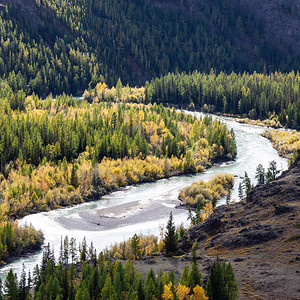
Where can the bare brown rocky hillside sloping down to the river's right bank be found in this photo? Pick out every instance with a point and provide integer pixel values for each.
(260, 236)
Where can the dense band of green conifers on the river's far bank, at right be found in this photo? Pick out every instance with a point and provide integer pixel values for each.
(274, 96)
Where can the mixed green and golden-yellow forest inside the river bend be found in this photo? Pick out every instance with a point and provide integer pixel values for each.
(65, 151)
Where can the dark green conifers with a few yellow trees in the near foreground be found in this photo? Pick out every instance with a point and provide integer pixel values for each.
(79, 273)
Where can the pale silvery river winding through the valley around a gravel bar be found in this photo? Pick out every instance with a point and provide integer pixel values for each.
(144, 208)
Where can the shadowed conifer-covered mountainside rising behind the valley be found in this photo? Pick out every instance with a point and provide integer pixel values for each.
(67, 46)
